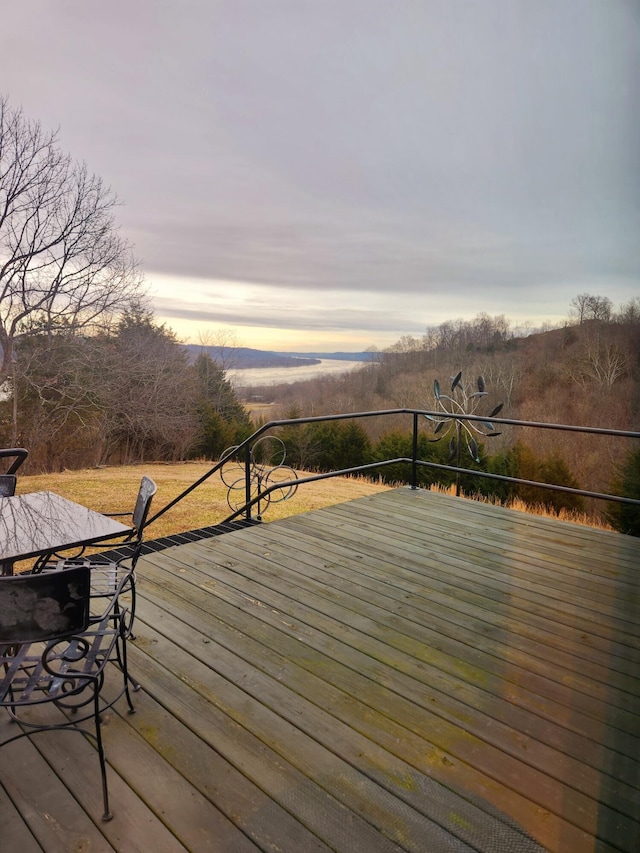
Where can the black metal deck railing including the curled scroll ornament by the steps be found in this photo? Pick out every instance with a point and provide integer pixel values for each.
(258, 487)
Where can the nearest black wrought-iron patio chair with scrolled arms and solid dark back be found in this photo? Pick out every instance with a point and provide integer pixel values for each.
(53, 654)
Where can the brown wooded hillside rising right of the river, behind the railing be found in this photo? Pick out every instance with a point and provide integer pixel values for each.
(586, 374)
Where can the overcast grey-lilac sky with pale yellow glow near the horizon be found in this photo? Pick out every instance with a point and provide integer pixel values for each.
(336, 174)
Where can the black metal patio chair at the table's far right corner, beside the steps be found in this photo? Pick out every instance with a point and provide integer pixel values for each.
(107, 575)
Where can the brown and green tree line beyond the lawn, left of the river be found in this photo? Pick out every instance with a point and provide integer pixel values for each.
(122, 395)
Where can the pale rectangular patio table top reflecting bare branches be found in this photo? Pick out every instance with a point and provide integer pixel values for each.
(42, 523)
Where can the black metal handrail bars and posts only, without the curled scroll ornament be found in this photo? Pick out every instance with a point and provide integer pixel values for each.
(244, 449)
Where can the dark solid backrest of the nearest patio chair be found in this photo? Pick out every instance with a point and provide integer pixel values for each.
(45, 606)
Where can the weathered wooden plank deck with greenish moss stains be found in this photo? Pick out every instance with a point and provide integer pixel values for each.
(407, 671)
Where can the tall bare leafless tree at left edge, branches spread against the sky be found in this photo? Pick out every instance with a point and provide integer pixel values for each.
(63, 264)
